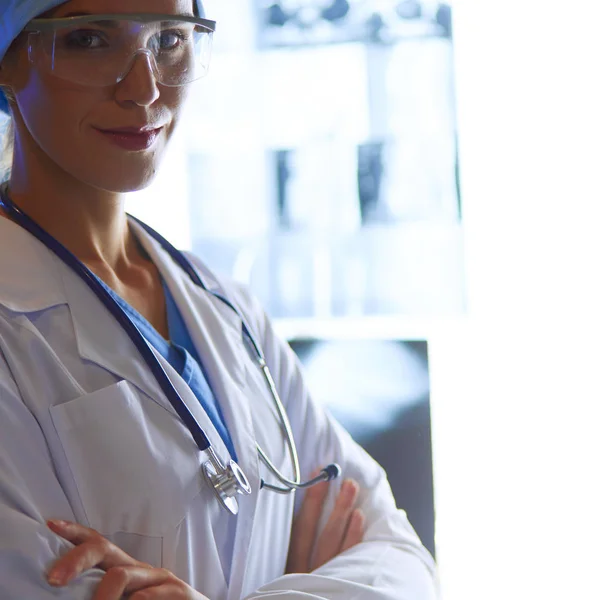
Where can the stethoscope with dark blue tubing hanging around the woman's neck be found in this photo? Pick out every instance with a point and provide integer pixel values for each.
(227, 481)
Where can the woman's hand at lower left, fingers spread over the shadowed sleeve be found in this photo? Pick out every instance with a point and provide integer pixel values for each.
(124, 576)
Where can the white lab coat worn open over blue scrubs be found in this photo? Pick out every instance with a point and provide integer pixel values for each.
(87, 435)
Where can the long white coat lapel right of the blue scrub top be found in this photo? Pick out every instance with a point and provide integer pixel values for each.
(216, 331)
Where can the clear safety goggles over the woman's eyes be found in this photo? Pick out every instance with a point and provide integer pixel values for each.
(100, 50)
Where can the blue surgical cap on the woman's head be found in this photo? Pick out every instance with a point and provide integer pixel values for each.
(15, 14)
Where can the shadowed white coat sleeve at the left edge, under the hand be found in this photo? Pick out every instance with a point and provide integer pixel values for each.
(29, 494)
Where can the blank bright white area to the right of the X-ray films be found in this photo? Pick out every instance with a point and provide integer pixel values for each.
(511, 384)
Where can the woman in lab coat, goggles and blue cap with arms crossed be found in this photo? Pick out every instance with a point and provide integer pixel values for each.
(89, 432)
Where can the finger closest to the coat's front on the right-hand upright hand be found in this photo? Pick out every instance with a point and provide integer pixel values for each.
(305, 528)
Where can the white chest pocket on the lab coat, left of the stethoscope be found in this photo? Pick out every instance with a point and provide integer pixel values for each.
(135, 465)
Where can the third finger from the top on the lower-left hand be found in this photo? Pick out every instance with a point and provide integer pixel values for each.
(120, 581)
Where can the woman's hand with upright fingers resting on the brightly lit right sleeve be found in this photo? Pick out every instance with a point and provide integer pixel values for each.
(343, 529)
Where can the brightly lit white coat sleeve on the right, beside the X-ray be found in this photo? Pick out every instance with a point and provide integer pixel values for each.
(390, 563)
